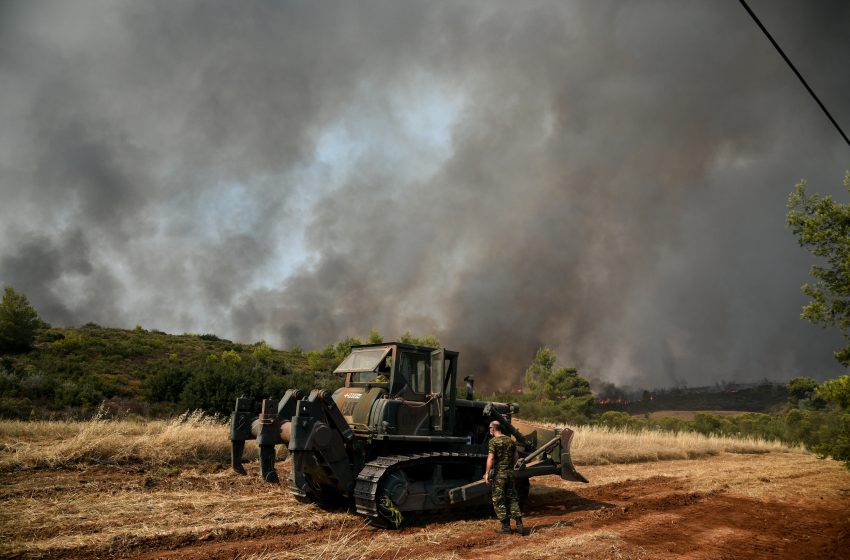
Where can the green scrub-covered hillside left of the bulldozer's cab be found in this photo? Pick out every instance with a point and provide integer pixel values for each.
(72, 371)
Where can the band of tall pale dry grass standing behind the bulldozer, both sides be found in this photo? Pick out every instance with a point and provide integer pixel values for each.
(196, 438)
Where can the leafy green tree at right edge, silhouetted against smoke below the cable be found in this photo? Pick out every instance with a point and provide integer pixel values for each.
(823, 227)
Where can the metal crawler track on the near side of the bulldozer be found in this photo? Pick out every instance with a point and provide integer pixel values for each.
(367, 487)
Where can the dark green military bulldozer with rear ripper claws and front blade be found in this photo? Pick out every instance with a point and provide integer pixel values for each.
(395, 440)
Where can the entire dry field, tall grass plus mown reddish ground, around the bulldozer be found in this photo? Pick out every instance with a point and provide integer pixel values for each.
(105, 489)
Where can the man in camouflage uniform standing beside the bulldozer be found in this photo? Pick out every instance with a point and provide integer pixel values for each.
(499, 476)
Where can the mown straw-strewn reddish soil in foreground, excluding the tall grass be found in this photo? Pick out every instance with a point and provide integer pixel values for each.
(774, 505)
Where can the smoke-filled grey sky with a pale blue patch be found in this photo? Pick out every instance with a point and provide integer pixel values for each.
(608, 179)
